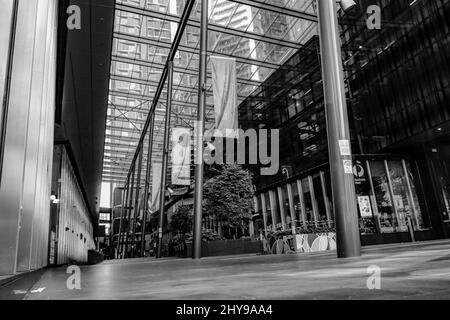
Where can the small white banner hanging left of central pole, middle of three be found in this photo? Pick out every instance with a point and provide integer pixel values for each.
(181, 156)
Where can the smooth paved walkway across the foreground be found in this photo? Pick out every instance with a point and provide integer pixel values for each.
(411, 271)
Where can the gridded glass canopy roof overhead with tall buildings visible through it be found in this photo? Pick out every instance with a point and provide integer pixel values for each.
(260, 34)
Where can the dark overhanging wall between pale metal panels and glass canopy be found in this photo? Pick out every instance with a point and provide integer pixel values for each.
(84, 60)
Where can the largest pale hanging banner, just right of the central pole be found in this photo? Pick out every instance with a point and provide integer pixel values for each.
(224, 83)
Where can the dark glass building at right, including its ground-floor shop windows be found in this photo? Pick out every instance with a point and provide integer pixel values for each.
(397, 85)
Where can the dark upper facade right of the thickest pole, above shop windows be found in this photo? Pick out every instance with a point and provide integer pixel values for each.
(399, 76)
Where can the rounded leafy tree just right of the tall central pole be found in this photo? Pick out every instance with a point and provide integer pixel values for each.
(228, 195)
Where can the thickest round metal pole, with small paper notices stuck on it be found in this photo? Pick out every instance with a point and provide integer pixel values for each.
(342, 181)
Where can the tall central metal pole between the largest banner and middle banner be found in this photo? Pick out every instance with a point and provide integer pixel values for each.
(198, 193)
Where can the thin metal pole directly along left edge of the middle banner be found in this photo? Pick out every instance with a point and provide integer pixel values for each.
(165, 159)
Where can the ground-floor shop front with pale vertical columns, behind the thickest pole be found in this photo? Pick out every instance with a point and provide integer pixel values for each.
(389, 195)
